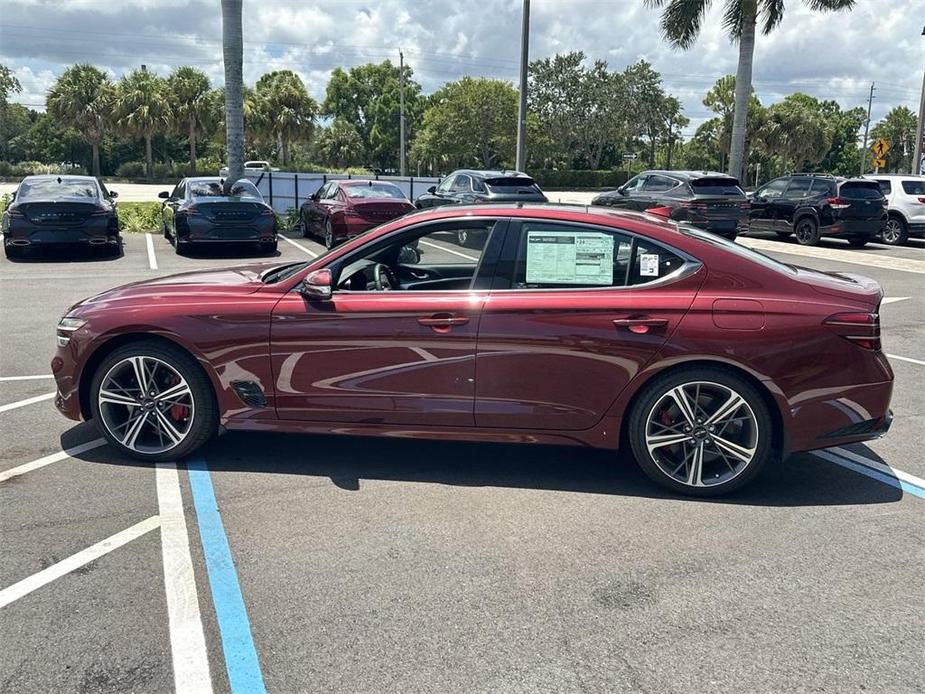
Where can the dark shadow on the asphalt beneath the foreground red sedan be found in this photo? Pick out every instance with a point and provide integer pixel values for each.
(802, 480)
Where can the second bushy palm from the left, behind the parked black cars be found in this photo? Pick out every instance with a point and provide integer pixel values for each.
(141, 109)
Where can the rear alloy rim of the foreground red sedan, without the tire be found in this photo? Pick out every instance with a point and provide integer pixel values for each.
(702, 434)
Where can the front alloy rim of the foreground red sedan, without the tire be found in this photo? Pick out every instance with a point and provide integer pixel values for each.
(146, 405)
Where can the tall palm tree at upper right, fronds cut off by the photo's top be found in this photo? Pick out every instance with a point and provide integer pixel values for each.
(681, 20)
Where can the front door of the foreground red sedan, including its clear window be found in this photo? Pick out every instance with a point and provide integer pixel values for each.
(395, 344)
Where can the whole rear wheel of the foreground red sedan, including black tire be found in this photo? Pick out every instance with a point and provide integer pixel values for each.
(723, 469)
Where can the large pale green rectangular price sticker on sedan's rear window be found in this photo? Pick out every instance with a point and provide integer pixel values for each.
(569, 258)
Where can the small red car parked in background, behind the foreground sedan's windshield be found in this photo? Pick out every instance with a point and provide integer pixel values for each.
(340, 210)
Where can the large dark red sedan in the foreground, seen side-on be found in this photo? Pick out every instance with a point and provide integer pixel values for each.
(564, 326)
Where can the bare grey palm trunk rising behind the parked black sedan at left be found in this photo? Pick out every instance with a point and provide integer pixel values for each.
(233, 53)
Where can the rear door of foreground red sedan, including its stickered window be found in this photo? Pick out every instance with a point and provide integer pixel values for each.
(574, 313)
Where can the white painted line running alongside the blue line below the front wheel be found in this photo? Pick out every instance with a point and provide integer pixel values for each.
(187, 639)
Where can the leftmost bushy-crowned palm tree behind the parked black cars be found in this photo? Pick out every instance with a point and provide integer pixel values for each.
(82, 98)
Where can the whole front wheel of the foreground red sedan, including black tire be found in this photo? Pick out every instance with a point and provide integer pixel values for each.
(194, 417)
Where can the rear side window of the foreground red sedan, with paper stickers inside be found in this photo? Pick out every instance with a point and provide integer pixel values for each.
(565, 256)
